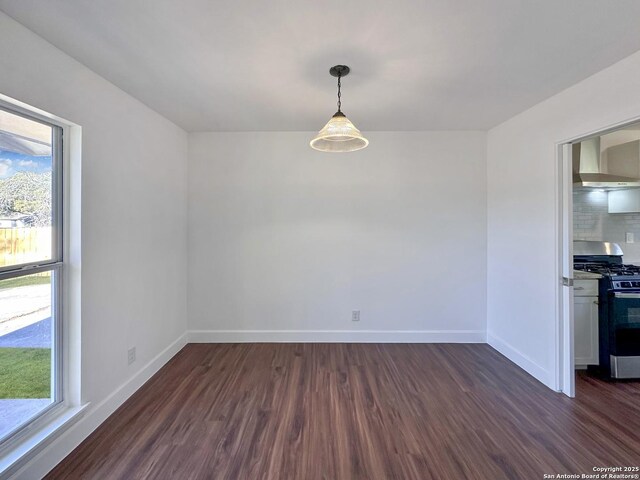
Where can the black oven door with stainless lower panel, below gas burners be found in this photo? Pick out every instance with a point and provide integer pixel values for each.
(624, 334)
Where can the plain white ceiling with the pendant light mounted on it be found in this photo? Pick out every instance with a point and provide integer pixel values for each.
(263, 65)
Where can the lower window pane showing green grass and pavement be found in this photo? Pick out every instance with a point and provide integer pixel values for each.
(26, 348)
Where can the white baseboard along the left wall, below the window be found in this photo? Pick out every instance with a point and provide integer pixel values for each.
(40, 464)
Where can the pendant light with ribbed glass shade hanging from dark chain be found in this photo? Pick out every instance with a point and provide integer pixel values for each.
(339, 134)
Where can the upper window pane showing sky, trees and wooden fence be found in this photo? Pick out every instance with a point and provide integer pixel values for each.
(25, 190)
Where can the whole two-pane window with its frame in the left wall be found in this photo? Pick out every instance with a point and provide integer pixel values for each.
(31, 261)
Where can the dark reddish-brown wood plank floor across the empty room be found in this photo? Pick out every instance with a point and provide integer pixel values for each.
(357, 411)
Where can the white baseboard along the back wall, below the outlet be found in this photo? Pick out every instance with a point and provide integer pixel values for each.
(337, 336)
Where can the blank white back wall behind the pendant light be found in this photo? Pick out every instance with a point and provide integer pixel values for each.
(284, 241)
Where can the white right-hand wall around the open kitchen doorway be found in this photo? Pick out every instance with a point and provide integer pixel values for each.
(522, 215)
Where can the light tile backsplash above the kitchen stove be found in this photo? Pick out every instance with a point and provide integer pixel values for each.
(592, 221)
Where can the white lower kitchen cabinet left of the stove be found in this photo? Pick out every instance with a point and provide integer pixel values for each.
(586, 330)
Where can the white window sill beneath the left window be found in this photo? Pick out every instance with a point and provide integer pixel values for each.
(33, 442)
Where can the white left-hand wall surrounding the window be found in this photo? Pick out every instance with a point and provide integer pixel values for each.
(133, 221)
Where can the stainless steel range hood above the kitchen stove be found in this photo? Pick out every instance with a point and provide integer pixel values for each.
(589, 171)
